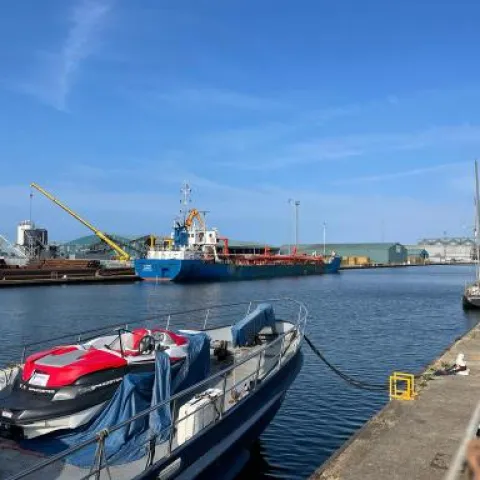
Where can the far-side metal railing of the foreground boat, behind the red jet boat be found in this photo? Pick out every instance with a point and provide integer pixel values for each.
(199, 318)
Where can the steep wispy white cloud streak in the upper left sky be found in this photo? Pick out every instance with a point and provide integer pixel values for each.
(57, 71)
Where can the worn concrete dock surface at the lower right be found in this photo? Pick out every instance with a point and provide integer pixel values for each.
(414, 439)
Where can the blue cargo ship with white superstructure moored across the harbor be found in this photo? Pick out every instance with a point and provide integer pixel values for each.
(195, 253)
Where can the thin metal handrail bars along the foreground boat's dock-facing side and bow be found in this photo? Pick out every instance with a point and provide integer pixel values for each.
(98, 437)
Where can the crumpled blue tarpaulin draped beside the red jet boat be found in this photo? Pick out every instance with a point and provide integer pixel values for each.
(136, 393)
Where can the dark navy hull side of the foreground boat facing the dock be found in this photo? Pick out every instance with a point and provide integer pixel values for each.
(238, 429)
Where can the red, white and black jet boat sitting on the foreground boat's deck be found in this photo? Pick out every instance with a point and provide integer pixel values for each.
(66, 386)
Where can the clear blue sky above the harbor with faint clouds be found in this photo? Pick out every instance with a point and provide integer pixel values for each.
(368, 113)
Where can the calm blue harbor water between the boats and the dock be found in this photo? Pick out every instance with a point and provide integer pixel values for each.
(367, 322)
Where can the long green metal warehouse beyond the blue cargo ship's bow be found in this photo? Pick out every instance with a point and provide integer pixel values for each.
(377, 253)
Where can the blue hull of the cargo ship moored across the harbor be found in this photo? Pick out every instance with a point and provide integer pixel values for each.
(184, 271)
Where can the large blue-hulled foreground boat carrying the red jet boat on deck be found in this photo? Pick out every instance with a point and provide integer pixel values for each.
(184, 423)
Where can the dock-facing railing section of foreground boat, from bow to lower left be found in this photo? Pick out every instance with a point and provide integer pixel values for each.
(237, 383)
